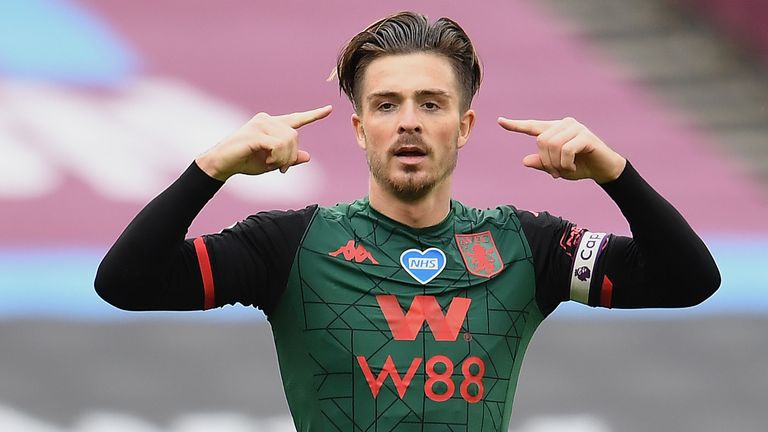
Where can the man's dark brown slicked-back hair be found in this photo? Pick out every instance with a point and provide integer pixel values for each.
(406, 33)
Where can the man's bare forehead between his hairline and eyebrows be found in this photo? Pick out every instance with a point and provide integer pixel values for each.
(408, 73)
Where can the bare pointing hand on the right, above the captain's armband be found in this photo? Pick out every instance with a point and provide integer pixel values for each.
(568, 149)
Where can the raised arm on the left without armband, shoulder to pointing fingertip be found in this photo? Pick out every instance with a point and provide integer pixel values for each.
(152, 266)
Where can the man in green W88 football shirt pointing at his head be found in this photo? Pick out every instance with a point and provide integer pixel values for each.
(348, 289)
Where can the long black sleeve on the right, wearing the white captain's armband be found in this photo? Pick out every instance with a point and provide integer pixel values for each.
(665, 264)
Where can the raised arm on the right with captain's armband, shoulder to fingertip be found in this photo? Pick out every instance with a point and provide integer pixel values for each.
(665, 264)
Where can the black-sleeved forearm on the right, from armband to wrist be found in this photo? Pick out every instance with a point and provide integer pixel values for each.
(665, 264)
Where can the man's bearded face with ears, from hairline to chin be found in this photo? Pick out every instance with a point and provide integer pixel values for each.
(410, 122)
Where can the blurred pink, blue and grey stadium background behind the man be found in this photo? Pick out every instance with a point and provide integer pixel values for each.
(104, 103)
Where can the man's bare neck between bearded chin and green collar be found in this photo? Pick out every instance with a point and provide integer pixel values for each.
(424, 212)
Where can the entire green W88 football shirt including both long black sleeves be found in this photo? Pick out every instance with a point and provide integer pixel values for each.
(379, 326)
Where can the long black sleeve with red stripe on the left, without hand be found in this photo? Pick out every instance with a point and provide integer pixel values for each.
(152, 266)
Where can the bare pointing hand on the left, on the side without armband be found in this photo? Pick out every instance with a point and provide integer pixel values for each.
(263, 144)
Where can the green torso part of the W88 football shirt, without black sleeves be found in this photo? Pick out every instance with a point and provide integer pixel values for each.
(385, 327)
